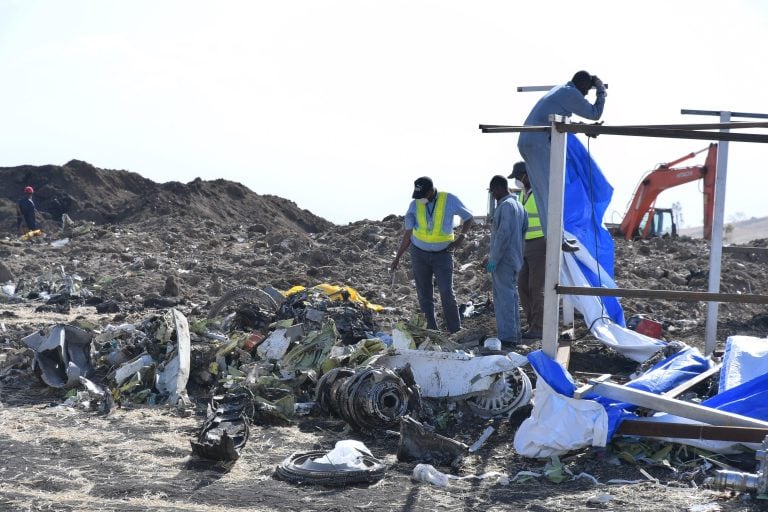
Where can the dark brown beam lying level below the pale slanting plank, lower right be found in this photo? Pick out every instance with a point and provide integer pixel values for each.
(646, 428)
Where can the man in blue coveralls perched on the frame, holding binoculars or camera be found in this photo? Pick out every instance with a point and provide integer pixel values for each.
(564, 100)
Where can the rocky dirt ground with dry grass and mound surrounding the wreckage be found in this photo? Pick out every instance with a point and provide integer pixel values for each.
(152, 247)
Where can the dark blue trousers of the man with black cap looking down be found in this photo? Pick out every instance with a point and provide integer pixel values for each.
(438, 265)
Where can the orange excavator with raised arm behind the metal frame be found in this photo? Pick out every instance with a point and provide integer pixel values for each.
(644, 220)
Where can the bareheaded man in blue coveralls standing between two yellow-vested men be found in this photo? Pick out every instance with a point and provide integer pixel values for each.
(505, 259)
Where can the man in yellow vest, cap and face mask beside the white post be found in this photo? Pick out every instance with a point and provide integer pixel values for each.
(530, 284)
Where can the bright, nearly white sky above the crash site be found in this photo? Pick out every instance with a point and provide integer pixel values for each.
(340, 105)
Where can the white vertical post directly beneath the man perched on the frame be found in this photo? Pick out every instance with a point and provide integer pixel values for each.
(550, 331)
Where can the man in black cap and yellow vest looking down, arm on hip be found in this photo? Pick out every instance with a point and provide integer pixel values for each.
(430, 235)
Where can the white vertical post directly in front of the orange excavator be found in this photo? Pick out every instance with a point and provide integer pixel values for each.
(716, 243)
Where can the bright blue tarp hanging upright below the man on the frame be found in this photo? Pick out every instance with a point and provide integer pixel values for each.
(587, 195)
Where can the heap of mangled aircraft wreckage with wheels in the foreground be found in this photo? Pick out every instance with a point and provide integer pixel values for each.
(263, 356)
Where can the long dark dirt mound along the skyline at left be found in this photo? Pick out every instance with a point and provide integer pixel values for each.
(106, 196)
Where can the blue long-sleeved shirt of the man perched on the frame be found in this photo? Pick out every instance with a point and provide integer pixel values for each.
(565, 100)
